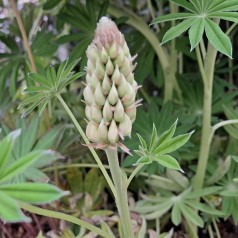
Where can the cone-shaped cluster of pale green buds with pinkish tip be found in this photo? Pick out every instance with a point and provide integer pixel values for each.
(110, 92)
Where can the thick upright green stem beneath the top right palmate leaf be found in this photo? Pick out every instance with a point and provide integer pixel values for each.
(208, 69)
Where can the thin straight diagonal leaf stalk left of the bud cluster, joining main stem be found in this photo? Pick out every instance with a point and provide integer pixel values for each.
(81, 132)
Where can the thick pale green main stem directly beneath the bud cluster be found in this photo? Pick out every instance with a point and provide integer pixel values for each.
(121, 198)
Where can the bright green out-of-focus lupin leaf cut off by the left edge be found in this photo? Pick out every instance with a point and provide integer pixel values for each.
(11, 193)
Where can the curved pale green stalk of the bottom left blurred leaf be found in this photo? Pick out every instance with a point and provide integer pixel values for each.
(65, 217)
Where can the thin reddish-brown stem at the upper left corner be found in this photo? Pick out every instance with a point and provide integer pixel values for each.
(24, 36)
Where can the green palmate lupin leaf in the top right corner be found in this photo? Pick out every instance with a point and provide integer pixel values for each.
(199, 20)
